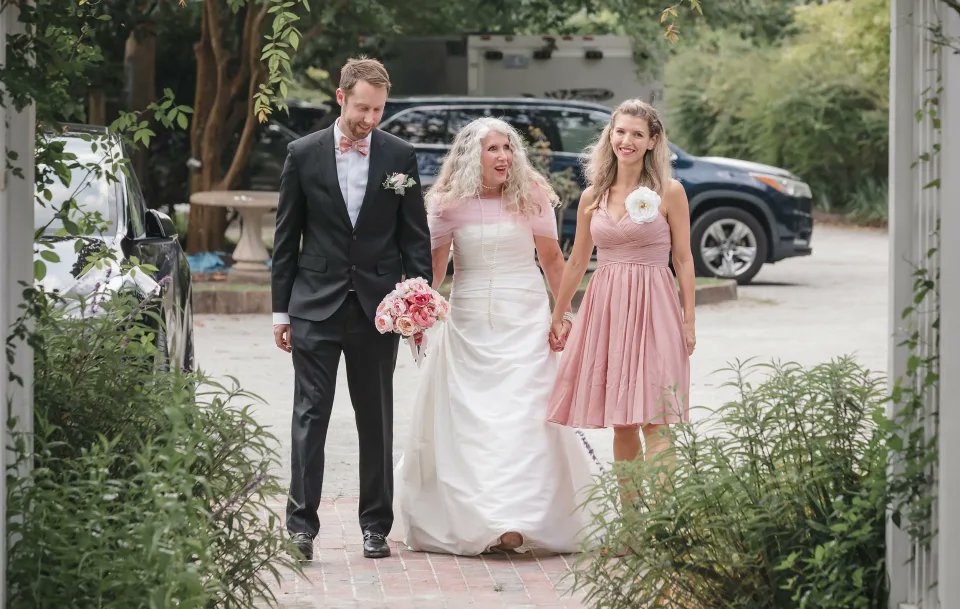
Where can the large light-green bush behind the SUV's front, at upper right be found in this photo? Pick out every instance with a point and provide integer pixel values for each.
(822, 114)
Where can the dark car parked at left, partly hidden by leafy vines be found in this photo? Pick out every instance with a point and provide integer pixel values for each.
(130, 230)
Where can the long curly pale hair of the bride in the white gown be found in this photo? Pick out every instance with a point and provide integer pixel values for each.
(459, 176)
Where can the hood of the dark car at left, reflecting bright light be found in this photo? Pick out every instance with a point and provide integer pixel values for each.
(67, 278)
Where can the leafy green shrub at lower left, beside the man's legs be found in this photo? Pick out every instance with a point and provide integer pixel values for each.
(147, 488)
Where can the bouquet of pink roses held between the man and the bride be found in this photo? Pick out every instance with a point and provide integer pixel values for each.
(409, 310)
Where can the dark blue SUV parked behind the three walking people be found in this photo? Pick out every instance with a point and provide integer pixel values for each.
(742, 214)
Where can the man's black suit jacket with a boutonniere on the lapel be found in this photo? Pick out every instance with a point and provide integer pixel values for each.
(390, 240)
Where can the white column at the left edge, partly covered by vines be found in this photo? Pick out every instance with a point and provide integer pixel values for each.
(16, 259)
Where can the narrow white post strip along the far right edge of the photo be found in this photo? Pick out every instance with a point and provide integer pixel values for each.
(949, 499)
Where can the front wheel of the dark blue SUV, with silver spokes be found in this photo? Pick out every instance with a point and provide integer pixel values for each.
(728, 243)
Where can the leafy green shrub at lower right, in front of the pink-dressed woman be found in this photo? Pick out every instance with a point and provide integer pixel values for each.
(775, 501)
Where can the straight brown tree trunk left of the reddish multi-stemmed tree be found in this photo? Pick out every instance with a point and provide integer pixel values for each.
(140, 59)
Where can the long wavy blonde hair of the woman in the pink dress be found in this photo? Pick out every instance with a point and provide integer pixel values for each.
(601, 163)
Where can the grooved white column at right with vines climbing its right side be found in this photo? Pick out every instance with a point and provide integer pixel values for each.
(914, 210)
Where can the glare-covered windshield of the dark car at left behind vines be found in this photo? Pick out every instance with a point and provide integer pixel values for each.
(95, 193)
